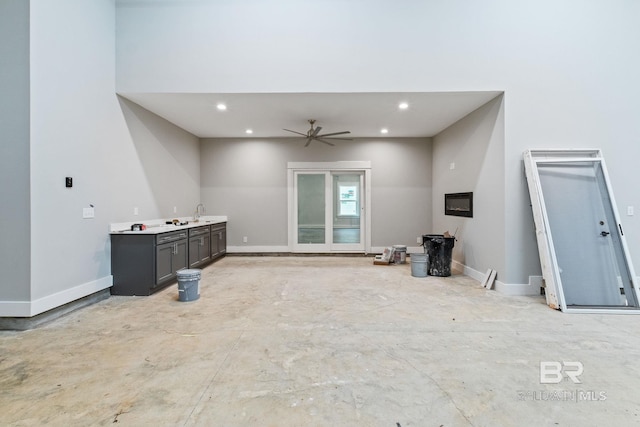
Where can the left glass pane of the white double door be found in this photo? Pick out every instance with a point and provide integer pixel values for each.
(311, 195)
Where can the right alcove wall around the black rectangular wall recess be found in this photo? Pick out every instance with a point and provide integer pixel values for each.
(475, 145)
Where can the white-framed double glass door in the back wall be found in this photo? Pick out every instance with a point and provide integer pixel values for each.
(328, 211)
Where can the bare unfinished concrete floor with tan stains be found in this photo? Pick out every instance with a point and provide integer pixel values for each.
(321, 341)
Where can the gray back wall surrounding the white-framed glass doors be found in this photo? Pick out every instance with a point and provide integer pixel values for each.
(246, 179)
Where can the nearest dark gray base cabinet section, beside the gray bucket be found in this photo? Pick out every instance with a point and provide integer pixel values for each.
(145, 263)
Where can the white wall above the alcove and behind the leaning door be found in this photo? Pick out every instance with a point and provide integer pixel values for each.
(568, 69)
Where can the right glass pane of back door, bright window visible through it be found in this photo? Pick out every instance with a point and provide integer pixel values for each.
(347, 211)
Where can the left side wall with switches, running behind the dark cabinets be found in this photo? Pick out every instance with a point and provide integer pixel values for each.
(120, 156)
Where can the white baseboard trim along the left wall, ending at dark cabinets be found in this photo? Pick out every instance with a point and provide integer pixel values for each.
(41, 305)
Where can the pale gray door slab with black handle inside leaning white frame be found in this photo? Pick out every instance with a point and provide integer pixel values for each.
(589, 253)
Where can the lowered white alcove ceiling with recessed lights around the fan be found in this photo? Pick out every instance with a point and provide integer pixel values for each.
(267, 114)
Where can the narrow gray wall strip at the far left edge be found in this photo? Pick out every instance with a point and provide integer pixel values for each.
(14, 150)
